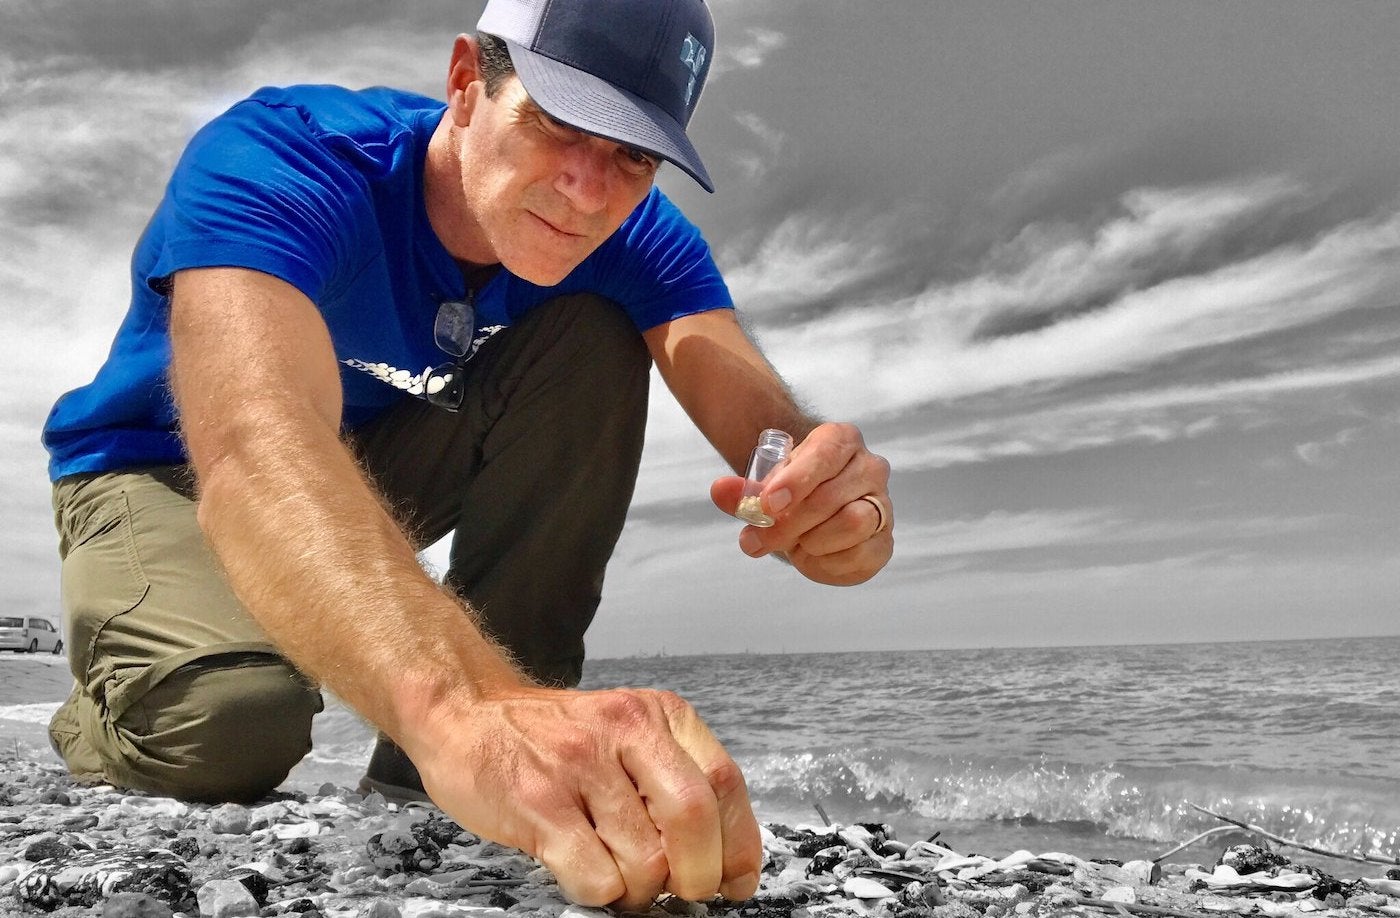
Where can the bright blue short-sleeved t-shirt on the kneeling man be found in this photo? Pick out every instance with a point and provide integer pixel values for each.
(323, 188)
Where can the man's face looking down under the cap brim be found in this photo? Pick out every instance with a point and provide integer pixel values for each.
(541, 195)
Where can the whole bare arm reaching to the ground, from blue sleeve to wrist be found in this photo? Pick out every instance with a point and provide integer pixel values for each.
(304, 541)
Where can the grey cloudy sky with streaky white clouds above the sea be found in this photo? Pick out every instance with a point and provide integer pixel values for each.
(1115, 288)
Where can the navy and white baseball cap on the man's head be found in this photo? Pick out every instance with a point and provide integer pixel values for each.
(628, 71)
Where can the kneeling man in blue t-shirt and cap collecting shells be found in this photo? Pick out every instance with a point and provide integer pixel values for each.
(243, 489)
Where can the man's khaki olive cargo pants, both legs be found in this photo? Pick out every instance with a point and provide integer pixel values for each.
(178, 691)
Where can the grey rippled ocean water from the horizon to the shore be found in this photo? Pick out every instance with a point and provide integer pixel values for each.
(1098, 752)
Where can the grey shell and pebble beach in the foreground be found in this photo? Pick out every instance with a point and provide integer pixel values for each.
(100, 852)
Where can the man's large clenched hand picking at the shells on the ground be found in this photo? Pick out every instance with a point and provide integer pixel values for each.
(624, 794)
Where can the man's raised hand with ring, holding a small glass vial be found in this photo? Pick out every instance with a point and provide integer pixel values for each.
(831, 504)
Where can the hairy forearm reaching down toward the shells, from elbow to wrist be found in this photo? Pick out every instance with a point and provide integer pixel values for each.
(330, 576)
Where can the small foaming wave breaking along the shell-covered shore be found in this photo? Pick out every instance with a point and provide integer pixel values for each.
(1352, 815)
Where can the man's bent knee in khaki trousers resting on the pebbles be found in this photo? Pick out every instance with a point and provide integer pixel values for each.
(213, 733)
